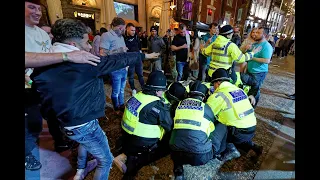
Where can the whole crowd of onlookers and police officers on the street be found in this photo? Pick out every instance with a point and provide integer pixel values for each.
(207, 111)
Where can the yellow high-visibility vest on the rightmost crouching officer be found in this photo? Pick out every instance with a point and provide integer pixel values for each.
(239, 111)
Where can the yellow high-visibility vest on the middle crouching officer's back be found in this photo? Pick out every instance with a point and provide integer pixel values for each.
(190, 115)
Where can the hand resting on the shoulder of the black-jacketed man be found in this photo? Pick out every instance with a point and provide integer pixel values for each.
(83, 57)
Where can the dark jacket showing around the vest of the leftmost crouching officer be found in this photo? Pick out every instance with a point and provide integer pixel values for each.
(155, 113)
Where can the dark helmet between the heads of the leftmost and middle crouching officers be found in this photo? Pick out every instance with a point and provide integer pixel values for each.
(176, 92)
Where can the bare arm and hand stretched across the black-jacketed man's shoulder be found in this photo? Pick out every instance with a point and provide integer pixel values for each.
(45, 59)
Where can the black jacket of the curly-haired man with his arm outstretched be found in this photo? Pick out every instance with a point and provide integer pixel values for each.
(75, 92)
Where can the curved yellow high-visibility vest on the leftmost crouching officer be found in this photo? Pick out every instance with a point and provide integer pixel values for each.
(130, 120)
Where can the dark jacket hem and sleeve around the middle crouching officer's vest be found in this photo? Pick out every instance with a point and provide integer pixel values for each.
(192, 141)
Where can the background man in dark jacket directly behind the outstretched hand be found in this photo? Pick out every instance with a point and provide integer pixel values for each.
(156, 45)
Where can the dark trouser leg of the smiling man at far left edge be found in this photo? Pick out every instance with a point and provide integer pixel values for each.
(33, 127)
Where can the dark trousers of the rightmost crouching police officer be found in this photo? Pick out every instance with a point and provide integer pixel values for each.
(241, 137)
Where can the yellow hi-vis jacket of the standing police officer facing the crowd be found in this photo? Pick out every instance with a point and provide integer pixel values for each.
(223, 52)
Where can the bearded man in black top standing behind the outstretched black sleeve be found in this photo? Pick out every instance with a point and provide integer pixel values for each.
(133, 44)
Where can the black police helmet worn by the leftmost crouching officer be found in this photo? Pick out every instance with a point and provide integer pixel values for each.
(156, 81)
